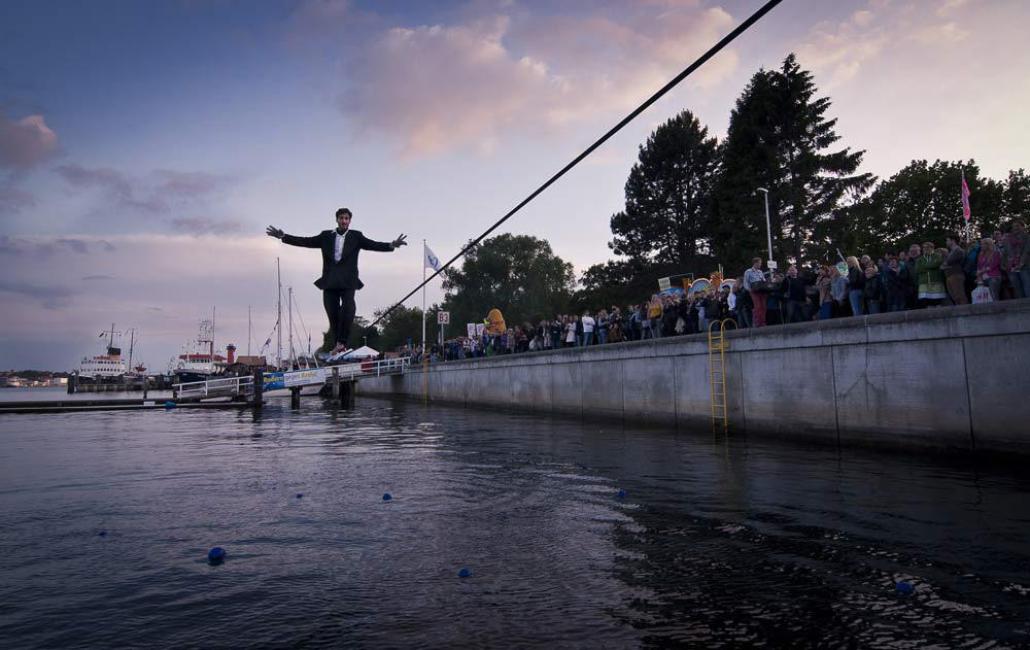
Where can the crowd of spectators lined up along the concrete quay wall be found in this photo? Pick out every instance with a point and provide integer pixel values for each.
(921, 277)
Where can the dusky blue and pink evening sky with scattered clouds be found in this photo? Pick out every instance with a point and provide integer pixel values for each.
(145, 147)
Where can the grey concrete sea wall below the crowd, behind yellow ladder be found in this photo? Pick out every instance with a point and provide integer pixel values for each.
(954, 379)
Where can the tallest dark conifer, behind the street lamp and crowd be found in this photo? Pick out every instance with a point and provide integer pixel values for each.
(780, 140)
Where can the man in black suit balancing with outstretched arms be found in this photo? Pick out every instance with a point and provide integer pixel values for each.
(339, 280)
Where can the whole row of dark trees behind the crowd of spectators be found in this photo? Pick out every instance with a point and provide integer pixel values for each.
(693, 207)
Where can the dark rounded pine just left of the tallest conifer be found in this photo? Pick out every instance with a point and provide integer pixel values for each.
(666, 219)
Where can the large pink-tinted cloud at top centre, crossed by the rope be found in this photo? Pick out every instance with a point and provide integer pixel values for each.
(468, 84)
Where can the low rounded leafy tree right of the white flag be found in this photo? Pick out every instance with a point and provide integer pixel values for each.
(519, 275)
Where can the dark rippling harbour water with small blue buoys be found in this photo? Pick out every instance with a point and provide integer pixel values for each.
(716, 542)
